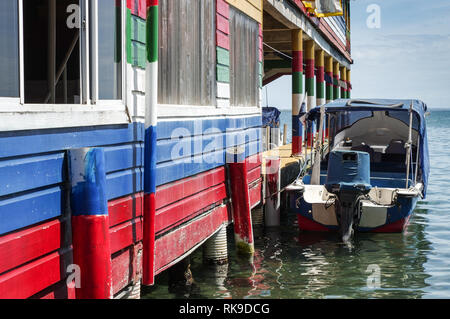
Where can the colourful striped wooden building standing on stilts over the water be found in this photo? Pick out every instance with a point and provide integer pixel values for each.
(130, 131)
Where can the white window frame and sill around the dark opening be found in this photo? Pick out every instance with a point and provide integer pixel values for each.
(15, 114)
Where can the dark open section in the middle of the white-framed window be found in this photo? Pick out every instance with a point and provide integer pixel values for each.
(51, 53)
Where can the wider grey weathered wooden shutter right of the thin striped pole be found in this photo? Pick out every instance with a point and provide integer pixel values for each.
(187, 52)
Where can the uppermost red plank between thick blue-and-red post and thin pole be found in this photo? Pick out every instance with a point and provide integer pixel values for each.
(125, 209)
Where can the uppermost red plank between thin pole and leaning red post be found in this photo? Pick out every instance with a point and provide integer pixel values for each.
(184, 188)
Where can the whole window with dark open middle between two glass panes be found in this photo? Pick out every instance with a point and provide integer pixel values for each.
(47, 52)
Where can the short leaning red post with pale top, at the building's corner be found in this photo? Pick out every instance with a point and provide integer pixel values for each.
(243, 230)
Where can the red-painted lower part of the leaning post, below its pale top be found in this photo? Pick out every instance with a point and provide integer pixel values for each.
(241, 201)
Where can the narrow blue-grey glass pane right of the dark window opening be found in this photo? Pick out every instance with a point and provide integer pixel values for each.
(109, 50)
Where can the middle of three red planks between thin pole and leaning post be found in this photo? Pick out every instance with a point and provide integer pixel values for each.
(185, 209)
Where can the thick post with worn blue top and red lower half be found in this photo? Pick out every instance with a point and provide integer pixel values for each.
(90, 223)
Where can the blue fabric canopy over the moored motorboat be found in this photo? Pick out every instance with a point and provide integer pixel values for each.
(418, 107)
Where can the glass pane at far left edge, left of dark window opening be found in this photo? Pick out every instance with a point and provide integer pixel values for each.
(9, 49)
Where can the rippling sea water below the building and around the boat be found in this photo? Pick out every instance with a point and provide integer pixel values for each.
(291, 264)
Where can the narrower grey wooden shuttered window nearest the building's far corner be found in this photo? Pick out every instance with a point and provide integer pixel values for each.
(244, 47)
